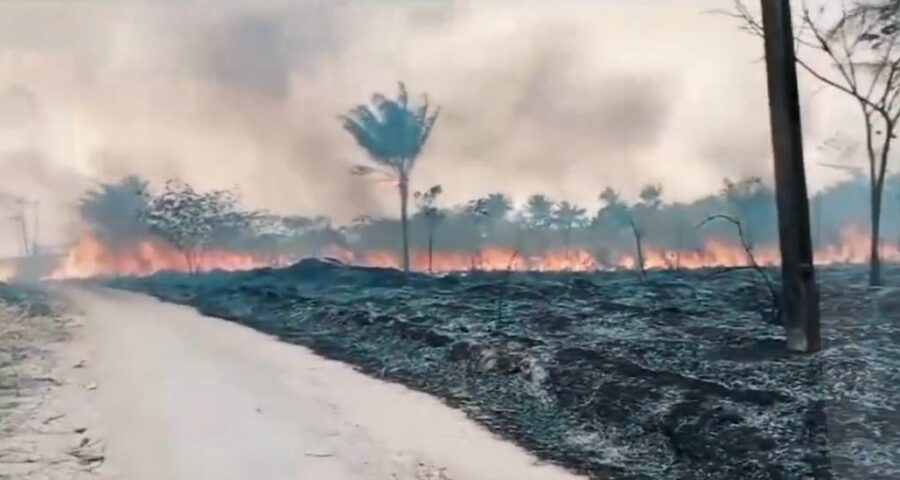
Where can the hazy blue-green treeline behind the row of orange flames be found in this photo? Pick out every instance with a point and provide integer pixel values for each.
(123, 213)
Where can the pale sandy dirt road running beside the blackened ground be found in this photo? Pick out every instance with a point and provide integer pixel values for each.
(180, 396)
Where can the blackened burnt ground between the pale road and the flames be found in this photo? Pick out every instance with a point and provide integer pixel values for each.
(681, 376)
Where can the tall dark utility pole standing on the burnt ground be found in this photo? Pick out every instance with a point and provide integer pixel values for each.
(800, 295)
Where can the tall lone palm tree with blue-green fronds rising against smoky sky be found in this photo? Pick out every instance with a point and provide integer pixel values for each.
(392, 132)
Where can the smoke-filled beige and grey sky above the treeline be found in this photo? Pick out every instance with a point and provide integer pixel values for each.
(563, 100)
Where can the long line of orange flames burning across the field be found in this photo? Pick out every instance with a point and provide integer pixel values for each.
(90, 258)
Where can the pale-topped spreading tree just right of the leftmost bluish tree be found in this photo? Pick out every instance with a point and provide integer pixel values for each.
(191, 221)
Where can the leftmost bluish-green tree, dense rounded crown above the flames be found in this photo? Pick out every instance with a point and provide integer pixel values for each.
(113, 212)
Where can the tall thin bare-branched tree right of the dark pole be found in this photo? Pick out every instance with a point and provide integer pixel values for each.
(860, 42)
